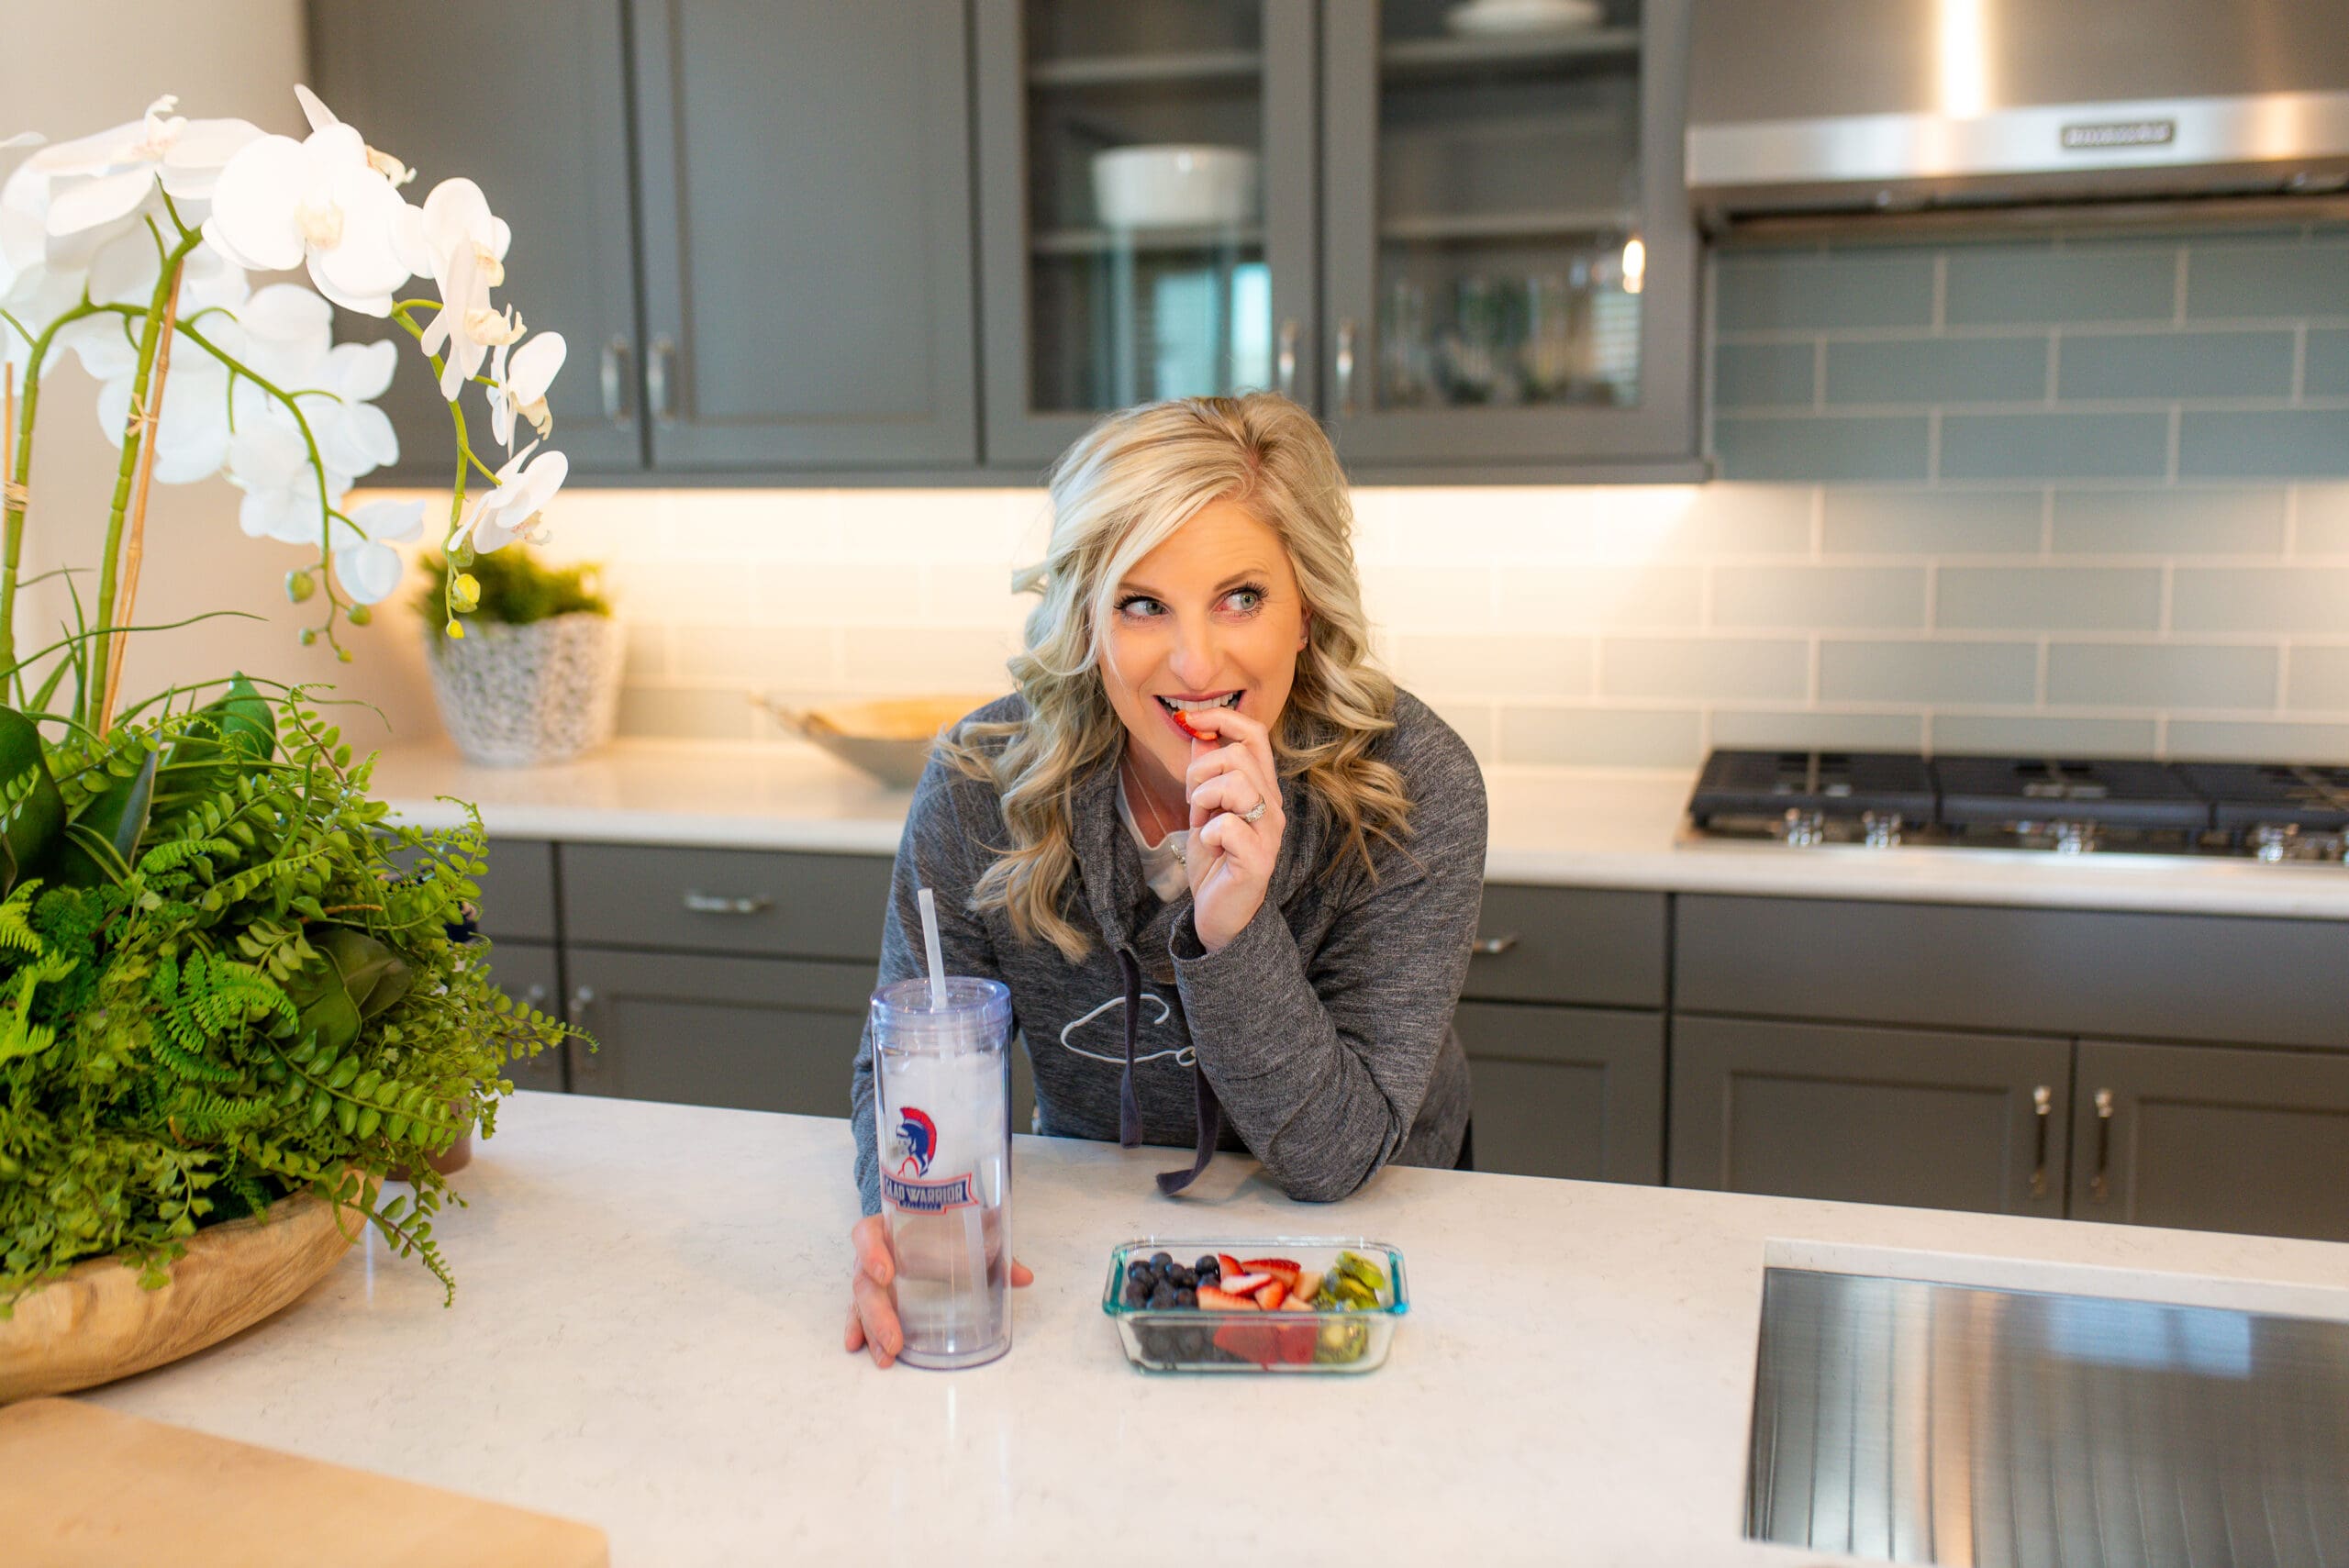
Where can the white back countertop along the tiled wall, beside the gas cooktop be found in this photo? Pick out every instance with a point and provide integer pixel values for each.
(1568, 827)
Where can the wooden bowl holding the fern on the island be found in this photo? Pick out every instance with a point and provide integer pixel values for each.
(95, 1323)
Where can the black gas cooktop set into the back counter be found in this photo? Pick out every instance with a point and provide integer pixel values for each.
(2073, 806)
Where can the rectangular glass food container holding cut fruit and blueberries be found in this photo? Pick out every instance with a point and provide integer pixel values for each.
(1279, 1341)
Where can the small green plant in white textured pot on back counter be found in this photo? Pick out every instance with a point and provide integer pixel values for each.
(537, 677)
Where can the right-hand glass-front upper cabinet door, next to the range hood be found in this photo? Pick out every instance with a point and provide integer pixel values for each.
(1509, 264)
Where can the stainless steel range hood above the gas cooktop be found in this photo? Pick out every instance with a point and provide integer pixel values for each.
(1862, 107)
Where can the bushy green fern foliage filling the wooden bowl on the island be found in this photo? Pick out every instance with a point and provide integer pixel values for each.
(224, 978)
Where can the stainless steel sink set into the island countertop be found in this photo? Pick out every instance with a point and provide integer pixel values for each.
(1939, 1424)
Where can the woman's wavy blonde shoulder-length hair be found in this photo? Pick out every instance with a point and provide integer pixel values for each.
(1117, 496)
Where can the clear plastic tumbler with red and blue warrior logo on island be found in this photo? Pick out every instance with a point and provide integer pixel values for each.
(945, 1142)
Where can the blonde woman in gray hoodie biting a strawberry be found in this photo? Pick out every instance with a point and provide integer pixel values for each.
(1225, 867)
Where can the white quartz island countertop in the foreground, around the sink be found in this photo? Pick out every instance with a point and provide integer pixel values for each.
(649, 1311)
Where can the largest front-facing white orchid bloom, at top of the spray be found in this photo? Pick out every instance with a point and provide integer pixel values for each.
(325, 203)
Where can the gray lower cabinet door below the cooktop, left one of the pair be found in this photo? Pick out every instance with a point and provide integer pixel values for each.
(1934, 1121)
